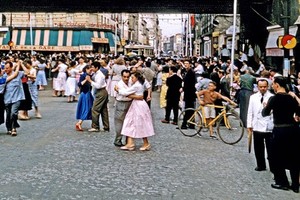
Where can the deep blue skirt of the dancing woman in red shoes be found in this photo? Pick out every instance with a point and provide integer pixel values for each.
(84, 106)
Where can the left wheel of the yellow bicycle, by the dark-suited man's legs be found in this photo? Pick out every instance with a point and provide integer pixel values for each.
(193, 124)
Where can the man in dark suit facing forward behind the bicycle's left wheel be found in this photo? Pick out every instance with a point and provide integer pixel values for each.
(189, 90)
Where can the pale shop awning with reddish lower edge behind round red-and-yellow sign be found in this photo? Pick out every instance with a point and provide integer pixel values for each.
(271, 46)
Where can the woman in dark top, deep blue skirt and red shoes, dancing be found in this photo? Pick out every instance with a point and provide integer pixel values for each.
(85, 101)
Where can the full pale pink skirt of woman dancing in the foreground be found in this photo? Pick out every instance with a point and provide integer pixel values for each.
(138, 121)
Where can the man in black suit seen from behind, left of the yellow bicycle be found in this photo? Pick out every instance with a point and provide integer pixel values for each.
(174, 84)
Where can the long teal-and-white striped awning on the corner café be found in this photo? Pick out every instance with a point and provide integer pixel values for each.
(56, 40)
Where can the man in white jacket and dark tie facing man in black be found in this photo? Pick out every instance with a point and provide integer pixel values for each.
(259, 125)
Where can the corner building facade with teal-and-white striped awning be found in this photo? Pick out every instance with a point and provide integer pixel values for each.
(74, 32)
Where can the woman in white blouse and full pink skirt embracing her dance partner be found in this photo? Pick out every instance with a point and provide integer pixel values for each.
(138, 120)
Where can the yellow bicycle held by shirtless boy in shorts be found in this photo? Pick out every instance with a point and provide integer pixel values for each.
(231, 132)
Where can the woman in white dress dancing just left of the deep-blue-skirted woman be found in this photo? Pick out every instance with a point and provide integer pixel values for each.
(70, 90)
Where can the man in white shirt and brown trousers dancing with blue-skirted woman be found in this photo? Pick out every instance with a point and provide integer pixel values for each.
(100, 99)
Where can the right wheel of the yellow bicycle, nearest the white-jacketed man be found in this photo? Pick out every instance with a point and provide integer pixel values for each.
(233, 132)
